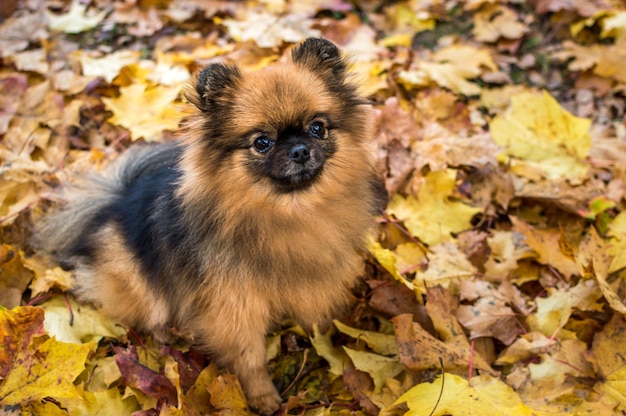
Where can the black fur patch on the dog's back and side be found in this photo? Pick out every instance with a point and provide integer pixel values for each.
(149, 216)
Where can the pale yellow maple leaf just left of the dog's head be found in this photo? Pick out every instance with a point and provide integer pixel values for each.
(145, 111)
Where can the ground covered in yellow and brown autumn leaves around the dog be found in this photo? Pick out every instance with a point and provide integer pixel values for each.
(497, 281)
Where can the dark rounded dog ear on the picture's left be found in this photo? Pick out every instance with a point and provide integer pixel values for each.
(214, 85)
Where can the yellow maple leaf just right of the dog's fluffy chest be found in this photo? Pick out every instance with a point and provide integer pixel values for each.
(432, 216)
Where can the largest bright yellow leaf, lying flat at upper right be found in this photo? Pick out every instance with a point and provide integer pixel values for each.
(536, 129)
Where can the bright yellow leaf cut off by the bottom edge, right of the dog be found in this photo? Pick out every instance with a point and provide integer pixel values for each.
(483, 395)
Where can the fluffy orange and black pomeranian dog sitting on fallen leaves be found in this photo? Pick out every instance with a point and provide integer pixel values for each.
(260, 212)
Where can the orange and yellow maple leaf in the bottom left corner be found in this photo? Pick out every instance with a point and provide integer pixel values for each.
(33, 366)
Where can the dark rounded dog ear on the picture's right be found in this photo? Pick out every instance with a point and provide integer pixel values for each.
(320, 55)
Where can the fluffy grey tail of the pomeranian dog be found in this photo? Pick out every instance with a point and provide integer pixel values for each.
(84, 200)
